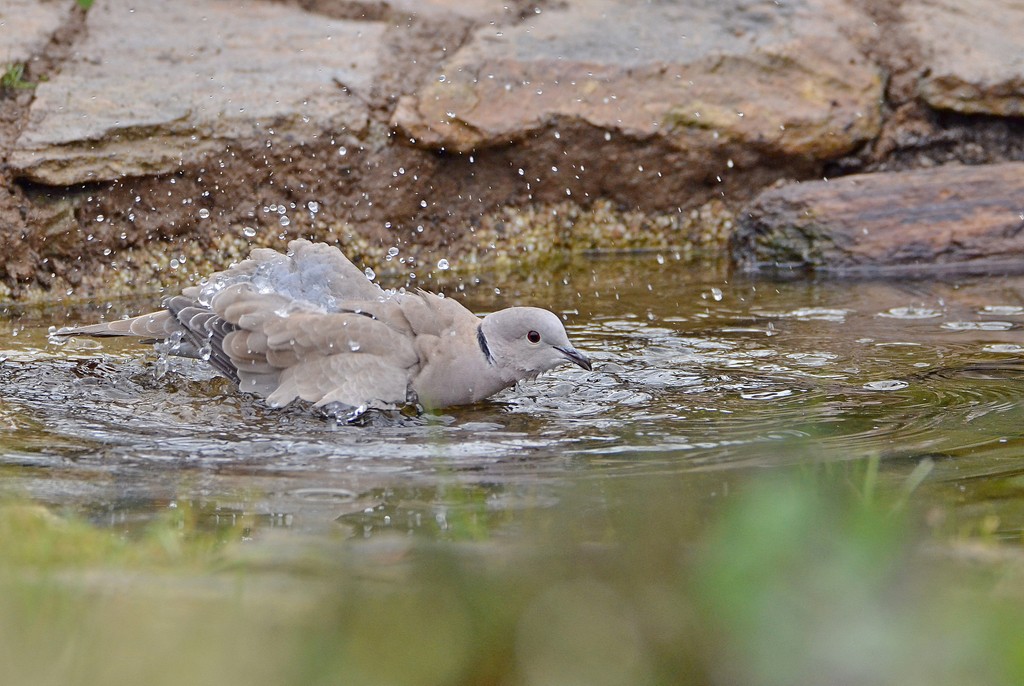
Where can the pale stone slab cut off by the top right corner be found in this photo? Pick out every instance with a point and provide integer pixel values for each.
(973, 61)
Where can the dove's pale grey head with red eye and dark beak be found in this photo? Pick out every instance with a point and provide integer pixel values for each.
(527, 341)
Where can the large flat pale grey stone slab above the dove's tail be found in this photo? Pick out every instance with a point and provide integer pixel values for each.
(154, 85)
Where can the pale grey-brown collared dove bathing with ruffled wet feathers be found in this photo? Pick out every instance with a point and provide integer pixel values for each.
(310, 325)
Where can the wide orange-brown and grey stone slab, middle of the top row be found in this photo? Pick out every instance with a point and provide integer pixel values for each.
(779, 78)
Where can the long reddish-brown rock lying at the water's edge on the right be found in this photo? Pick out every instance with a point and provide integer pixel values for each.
(954, 219)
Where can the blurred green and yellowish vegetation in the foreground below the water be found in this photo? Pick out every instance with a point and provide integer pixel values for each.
(818, 576)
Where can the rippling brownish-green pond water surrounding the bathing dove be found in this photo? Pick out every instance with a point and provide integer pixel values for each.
(696, 370)
